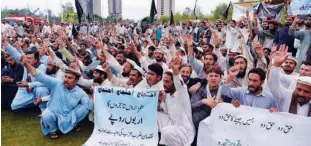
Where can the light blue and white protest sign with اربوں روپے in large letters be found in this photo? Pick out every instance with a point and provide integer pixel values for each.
(126, 117)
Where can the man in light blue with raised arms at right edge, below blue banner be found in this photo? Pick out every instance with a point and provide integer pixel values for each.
(303, 36)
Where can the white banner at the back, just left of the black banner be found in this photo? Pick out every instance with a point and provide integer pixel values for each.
(240, 11)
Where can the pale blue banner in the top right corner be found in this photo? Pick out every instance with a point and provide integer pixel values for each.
(302, 7)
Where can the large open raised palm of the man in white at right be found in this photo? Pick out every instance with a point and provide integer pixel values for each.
(280, 56)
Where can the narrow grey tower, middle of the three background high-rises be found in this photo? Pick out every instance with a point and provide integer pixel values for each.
(115, 8)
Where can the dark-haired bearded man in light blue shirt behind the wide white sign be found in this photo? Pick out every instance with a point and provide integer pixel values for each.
(253, 95)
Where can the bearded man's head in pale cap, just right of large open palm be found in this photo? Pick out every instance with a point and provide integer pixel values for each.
(289, 66)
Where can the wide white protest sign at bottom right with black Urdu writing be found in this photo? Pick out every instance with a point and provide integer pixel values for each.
(247, 126)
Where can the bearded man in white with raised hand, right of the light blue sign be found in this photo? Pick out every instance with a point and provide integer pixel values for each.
(174, 116)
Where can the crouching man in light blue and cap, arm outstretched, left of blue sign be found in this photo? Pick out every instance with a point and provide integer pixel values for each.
(68, 103)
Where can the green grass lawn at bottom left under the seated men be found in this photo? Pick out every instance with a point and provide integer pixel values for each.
(22, 128)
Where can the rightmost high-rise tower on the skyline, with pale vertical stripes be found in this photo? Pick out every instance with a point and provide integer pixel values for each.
(164, 7)
